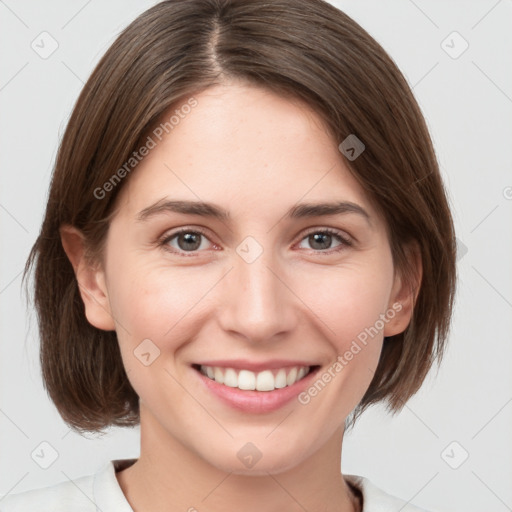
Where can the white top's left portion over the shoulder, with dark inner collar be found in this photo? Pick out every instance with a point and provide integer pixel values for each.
(99, 491)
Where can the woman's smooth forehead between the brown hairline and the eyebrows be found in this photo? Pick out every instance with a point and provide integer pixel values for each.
(243, 146)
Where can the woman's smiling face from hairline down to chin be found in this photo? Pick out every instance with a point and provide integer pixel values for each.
(262, 289)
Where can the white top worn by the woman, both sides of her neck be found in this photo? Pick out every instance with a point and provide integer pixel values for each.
(101, 492)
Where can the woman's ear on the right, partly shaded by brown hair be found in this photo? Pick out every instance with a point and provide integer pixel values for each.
(404, 293)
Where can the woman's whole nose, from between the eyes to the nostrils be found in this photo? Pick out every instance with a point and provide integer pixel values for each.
(257, 305)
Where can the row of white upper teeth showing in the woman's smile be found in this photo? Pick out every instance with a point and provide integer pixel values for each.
(267, 380)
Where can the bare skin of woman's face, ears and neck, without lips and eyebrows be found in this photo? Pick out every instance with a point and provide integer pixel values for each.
(255, 154)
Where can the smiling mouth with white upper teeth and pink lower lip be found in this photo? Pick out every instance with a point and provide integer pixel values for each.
(255, 392)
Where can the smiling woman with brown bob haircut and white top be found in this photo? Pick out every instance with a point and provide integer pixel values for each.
(247, 243)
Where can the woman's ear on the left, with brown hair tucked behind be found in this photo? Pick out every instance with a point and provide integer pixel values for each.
(90, 278)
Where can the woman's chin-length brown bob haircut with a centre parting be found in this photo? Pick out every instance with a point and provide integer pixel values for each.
(307, 51)
